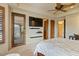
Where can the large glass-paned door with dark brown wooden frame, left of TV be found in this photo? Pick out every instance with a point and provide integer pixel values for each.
(18, 29)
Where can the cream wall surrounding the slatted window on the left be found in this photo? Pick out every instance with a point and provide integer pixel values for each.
(4, 47)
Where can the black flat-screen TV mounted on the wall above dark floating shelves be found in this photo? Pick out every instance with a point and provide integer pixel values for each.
(35, 22)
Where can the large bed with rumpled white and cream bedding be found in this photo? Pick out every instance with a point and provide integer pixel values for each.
(57, 47)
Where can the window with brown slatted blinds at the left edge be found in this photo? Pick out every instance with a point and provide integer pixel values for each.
(2, 24)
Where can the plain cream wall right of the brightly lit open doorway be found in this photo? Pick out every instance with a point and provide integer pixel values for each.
(72, 24)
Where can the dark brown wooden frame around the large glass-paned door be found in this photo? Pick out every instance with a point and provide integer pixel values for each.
(12, 26)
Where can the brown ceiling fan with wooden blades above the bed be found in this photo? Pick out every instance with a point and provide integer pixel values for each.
(61, 7)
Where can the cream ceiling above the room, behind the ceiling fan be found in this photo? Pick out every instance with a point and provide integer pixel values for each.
(41, 8)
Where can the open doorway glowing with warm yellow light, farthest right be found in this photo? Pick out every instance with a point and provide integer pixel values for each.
(61, 29)
